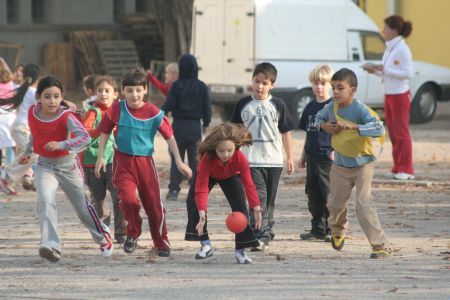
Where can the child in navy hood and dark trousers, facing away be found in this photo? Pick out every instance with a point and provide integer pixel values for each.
(189, 101)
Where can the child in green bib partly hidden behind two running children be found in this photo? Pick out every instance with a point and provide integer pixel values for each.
(107, 92)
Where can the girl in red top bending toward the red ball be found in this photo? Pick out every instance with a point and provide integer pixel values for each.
(223, 163)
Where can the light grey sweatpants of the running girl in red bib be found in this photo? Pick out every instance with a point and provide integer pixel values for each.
(67, 173)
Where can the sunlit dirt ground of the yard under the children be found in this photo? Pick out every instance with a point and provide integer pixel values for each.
(415, 216)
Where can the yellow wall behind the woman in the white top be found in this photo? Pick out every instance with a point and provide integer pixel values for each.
(429, 40)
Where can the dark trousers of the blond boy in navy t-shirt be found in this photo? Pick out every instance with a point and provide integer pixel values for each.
(318, 188)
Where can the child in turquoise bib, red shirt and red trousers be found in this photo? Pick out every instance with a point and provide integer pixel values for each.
(137, 122)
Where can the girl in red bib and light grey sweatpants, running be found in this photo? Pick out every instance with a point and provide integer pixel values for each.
(56, 134)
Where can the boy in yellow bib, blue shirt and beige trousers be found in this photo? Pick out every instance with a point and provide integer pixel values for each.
(352, 125)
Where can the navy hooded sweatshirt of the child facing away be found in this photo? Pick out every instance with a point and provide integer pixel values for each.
(188, 100)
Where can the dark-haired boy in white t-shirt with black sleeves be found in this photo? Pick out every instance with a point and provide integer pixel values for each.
(268, 120)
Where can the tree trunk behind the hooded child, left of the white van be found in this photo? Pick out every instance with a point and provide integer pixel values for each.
(174, 19)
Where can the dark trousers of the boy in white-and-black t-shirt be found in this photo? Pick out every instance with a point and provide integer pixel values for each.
(266, 181)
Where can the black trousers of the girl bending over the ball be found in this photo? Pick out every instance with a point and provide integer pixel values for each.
(234, 192)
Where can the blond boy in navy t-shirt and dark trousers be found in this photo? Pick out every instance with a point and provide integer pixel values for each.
(316, 155)
